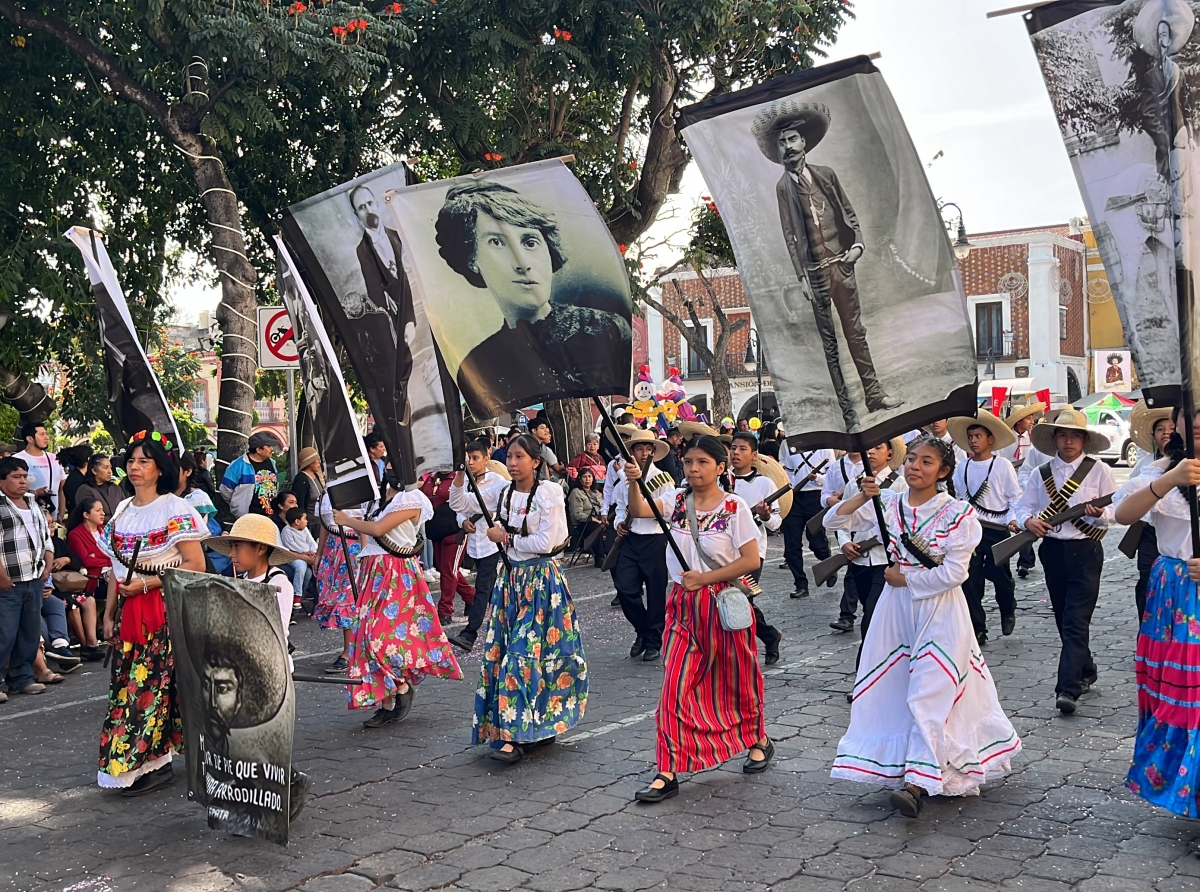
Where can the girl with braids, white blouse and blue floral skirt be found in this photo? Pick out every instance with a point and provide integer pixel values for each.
(533, 685)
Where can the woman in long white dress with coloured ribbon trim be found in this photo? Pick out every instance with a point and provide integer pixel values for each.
(926, 717)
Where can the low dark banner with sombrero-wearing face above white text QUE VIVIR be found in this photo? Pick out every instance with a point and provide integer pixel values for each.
(237, 701)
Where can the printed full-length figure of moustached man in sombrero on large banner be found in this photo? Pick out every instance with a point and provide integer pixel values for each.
(825, 242)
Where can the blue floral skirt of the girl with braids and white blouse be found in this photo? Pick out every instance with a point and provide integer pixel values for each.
(535, 680)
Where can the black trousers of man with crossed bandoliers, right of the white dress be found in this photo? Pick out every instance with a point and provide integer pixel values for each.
(1073, 576)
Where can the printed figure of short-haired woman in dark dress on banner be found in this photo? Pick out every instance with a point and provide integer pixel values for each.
(497, 240)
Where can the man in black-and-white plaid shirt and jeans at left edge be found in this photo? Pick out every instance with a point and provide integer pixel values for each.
(26, 556)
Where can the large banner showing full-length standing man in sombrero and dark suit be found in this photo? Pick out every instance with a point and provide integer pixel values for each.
(843, 254)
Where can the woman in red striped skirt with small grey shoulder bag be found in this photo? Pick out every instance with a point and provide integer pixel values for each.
(711, 708)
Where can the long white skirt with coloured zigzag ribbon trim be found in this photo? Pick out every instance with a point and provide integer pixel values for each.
(926, 709)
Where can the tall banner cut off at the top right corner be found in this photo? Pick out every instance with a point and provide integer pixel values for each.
(1115, 71)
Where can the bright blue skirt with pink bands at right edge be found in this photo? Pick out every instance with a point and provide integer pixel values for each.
(1167, 751)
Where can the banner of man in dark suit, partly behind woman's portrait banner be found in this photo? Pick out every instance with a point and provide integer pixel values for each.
(352, 261)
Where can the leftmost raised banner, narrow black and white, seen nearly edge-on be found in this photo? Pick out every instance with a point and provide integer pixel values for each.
(134, 390)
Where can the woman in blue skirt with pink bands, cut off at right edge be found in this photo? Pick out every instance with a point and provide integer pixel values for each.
(1167, 751)
